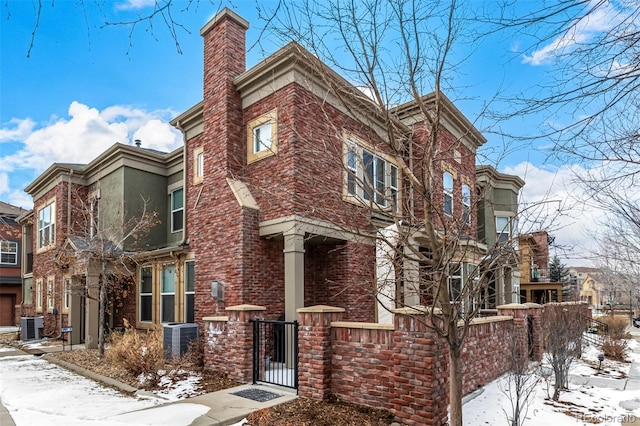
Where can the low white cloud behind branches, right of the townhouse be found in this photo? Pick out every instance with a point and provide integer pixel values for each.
(554, 202)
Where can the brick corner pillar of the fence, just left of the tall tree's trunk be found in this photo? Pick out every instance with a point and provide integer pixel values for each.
(420, 369)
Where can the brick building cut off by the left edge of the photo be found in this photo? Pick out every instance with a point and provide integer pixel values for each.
(10, 264)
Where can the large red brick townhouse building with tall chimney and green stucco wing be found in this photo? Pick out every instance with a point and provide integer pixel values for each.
(260, 205)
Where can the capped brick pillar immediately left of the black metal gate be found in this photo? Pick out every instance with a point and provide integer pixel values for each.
(240, 341)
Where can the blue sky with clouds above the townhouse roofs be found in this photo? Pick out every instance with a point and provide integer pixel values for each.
(86, 86)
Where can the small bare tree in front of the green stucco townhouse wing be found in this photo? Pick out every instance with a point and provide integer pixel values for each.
(108, 248)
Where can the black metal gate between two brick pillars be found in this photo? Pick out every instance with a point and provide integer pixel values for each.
(275, 352)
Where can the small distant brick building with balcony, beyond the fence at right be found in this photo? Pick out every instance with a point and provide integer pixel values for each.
(535, 283)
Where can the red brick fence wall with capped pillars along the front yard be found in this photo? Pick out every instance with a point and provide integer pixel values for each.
(401, 367)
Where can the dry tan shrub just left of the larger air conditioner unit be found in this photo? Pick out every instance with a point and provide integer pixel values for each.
(138, 352)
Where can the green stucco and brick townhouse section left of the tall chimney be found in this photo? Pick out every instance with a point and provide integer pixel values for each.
(79, 214)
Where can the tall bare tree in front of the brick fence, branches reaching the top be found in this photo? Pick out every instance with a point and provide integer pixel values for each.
(391, 53)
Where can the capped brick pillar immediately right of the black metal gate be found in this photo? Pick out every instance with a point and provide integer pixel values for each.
(314, 350)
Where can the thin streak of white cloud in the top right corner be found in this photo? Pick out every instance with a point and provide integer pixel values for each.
(601, 19)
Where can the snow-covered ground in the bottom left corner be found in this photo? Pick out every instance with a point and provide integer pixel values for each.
(36, 392)
